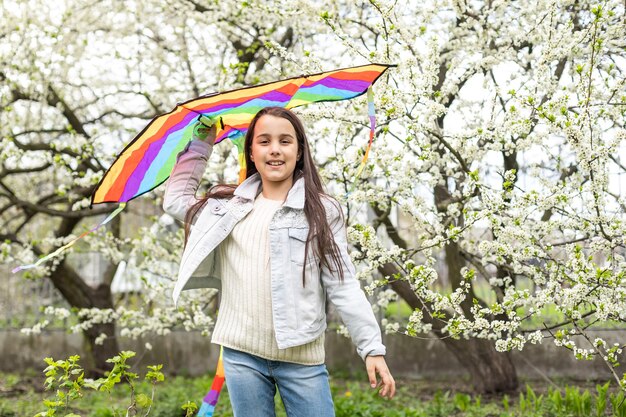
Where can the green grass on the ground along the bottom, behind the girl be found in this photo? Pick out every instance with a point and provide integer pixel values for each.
(22, 395)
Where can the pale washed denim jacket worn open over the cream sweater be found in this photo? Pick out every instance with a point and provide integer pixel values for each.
(298, 311)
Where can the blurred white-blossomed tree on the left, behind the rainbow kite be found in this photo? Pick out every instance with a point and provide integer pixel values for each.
(77, 82)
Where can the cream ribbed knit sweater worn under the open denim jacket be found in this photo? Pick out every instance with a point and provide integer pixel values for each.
(244, 321)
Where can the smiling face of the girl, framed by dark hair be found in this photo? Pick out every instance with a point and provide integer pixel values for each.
(274, 149)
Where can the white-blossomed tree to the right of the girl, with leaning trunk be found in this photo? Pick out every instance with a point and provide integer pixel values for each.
(502, 146)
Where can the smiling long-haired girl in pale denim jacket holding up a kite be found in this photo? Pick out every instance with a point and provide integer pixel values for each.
(276, 246)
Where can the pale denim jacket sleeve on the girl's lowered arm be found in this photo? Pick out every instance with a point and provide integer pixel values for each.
(354, 308)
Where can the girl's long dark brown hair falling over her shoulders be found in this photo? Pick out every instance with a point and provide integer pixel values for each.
(326, 248)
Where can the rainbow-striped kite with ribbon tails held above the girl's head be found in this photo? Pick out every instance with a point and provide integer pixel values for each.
(147, 161)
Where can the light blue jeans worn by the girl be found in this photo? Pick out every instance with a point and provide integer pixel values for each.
(252, 382)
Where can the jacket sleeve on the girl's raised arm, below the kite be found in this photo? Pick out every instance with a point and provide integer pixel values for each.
(181, 187)
